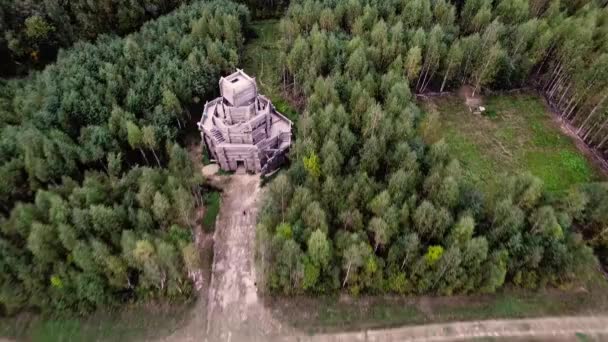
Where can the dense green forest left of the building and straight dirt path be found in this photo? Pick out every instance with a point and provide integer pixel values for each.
(97, 199)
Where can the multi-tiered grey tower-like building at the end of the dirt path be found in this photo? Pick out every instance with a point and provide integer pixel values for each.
(242, 129)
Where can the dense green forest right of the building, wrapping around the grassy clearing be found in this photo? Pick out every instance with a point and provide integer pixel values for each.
(373, 202)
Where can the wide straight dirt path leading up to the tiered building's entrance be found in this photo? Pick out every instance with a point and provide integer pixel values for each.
(235, 311)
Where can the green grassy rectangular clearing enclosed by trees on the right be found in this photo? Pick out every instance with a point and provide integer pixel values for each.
(515, 134)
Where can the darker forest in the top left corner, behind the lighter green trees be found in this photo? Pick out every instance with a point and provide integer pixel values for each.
(33, 31)
